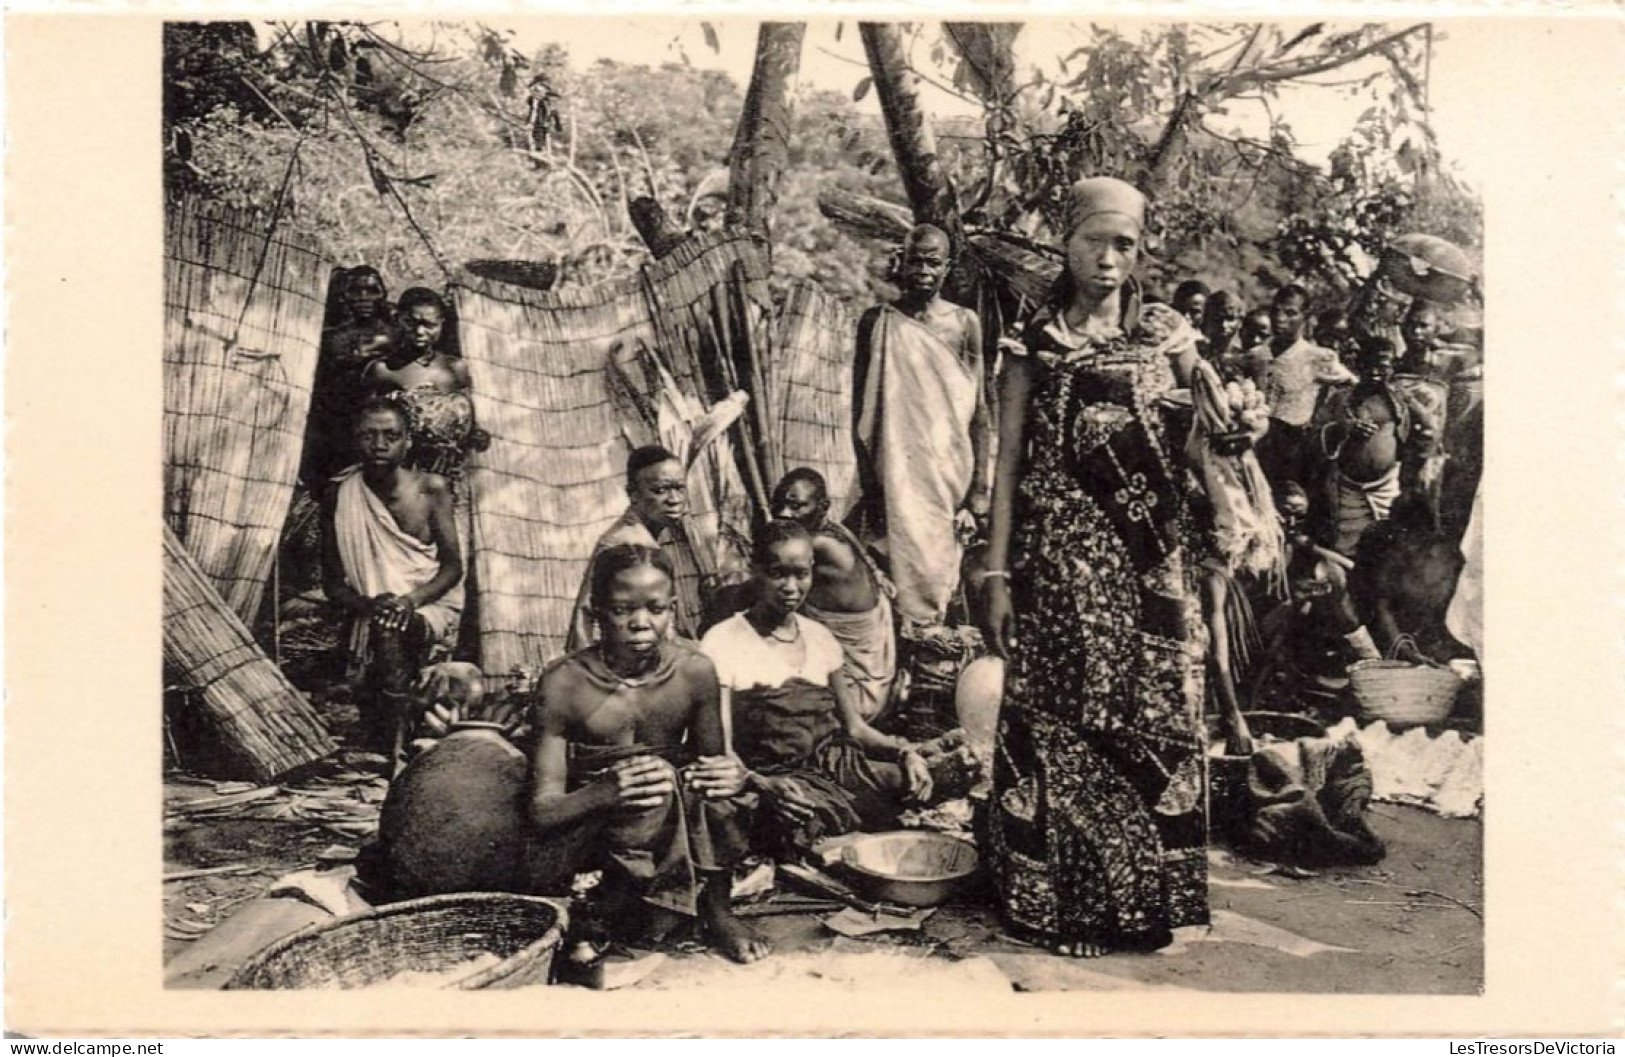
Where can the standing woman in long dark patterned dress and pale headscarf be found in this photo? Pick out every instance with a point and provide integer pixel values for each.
(1093, 596)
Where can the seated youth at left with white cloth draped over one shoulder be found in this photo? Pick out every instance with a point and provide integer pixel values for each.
(391, 559)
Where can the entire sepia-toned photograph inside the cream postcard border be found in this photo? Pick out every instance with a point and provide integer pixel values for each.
(662, 503)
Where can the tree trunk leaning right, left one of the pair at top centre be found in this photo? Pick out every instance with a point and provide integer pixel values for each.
(761, 146)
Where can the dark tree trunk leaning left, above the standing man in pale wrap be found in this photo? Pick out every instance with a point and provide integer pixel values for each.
(930, 194)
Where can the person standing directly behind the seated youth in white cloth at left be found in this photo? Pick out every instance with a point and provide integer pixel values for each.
(431, 386)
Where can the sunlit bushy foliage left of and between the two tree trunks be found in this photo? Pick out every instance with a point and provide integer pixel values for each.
(418, 160)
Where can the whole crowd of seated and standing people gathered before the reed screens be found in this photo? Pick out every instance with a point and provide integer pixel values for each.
(1140, 479)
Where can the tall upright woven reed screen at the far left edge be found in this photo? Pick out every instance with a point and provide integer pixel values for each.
(241, 334)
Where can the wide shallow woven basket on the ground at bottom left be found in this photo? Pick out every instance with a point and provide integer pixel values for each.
(422, 936)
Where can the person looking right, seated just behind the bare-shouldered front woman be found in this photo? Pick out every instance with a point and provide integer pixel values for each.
(659, 492)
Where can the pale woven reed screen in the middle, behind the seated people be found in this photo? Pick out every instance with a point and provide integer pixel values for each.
(553, 479)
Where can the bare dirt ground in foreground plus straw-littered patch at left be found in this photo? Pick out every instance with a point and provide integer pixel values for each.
(1408, 926)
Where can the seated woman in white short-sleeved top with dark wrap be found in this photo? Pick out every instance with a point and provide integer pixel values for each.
(820, 768)
